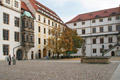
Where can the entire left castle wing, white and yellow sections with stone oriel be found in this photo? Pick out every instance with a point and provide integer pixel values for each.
(25, 28)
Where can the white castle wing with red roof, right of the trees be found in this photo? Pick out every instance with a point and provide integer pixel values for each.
(100, 30)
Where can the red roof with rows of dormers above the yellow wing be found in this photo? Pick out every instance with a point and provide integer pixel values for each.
(46, 10)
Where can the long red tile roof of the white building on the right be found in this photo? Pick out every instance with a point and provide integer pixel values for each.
(96, 14)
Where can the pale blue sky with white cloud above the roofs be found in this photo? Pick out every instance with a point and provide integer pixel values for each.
(68, 9)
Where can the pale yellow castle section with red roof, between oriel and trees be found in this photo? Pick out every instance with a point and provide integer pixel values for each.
(45, 20)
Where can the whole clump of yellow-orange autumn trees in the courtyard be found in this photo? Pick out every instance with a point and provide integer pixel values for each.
(63, 41)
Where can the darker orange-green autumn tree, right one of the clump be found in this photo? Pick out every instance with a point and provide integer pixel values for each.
(70, 40)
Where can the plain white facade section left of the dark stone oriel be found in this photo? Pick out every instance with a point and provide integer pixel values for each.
(10, 11)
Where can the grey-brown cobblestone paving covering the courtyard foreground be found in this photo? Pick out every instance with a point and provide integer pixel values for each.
(56, 70)
